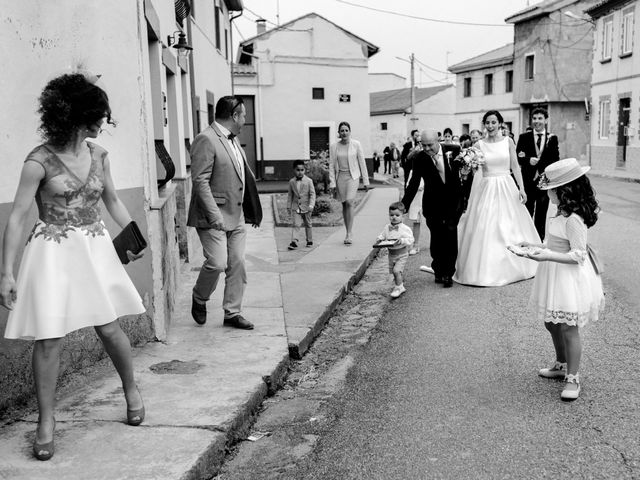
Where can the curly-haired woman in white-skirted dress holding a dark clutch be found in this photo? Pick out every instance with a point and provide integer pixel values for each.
(70, 276)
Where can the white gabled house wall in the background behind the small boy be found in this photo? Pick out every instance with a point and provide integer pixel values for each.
(291, 64)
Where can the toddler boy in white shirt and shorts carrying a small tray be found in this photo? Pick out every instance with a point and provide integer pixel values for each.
(399, 251)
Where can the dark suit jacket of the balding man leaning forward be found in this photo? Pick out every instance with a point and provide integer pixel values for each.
(440, 201)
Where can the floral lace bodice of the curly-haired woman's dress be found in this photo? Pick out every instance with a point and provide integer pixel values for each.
(65, 201)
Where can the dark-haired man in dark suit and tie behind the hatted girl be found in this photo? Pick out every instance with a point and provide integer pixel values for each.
(536, 151)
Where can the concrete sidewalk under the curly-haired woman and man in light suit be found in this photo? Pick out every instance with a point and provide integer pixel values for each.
(202, 387)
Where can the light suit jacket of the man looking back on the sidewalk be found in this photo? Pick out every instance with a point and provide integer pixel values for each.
(219, 193)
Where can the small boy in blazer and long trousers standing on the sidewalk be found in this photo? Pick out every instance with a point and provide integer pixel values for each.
(300, 202)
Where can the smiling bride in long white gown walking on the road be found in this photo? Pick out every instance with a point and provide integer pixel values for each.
(495, 217)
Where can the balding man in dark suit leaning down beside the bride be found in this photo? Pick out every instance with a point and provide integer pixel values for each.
(442, 201)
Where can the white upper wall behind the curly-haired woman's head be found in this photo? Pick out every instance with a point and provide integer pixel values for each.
(47, 44)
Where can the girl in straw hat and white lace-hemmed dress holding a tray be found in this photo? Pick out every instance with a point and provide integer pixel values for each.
(567, 290)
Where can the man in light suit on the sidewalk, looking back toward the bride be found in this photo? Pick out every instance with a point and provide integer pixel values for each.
(224, 198)
